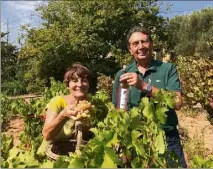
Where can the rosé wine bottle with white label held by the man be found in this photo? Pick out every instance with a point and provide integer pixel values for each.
(122, 94)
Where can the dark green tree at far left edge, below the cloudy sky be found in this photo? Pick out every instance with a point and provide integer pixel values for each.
(12, 80)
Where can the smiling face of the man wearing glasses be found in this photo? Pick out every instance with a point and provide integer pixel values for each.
(140, 47)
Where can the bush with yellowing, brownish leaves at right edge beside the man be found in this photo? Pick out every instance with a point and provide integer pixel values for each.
(196, 79)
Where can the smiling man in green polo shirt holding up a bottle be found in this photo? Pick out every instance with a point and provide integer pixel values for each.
(145, 76)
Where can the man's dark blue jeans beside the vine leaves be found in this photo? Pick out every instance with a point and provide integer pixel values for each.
(173, 144)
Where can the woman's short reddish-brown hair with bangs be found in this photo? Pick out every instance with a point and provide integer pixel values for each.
(77, 70)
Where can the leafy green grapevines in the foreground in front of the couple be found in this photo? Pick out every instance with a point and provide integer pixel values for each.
(132, 139)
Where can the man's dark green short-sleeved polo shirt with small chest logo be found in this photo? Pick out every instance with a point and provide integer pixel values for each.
(162, 75)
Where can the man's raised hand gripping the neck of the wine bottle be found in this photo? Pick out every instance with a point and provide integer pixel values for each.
(132, 79)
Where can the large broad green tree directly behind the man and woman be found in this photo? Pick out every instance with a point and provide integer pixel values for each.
(85, 31)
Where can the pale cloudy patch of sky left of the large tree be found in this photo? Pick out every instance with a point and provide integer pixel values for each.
(18, 13)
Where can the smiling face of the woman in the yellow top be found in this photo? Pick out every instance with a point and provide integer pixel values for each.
(79, 87)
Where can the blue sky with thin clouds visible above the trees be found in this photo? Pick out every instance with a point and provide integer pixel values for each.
(16, 13)
